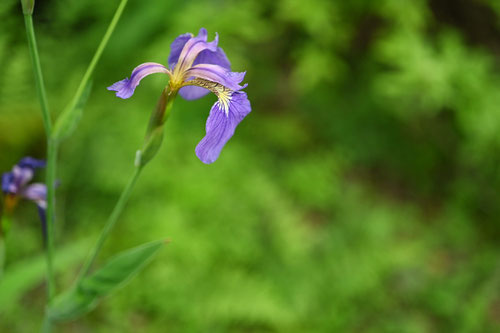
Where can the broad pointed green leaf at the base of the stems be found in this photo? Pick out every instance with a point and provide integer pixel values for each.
(113, 275)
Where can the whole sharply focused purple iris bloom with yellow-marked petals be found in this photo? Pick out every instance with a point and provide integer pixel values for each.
(197, 67)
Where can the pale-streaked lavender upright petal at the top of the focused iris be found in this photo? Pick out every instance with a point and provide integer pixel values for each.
(192, 49)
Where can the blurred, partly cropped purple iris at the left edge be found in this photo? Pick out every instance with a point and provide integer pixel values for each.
(15, 185)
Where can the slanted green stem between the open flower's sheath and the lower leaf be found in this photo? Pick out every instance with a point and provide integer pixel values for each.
(109, 224)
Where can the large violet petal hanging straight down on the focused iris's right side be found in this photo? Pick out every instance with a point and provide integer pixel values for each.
(220, 126)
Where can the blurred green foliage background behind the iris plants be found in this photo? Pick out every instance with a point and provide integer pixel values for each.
(360, 195)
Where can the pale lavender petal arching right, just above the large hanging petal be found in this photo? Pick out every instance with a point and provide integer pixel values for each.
(217, 74)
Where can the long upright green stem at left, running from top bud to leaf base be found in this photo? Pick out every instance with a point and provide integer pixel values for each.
(51, 153)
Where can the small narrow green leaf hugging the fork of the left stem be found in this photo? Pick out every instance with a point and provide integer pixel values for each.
(69, 118)
